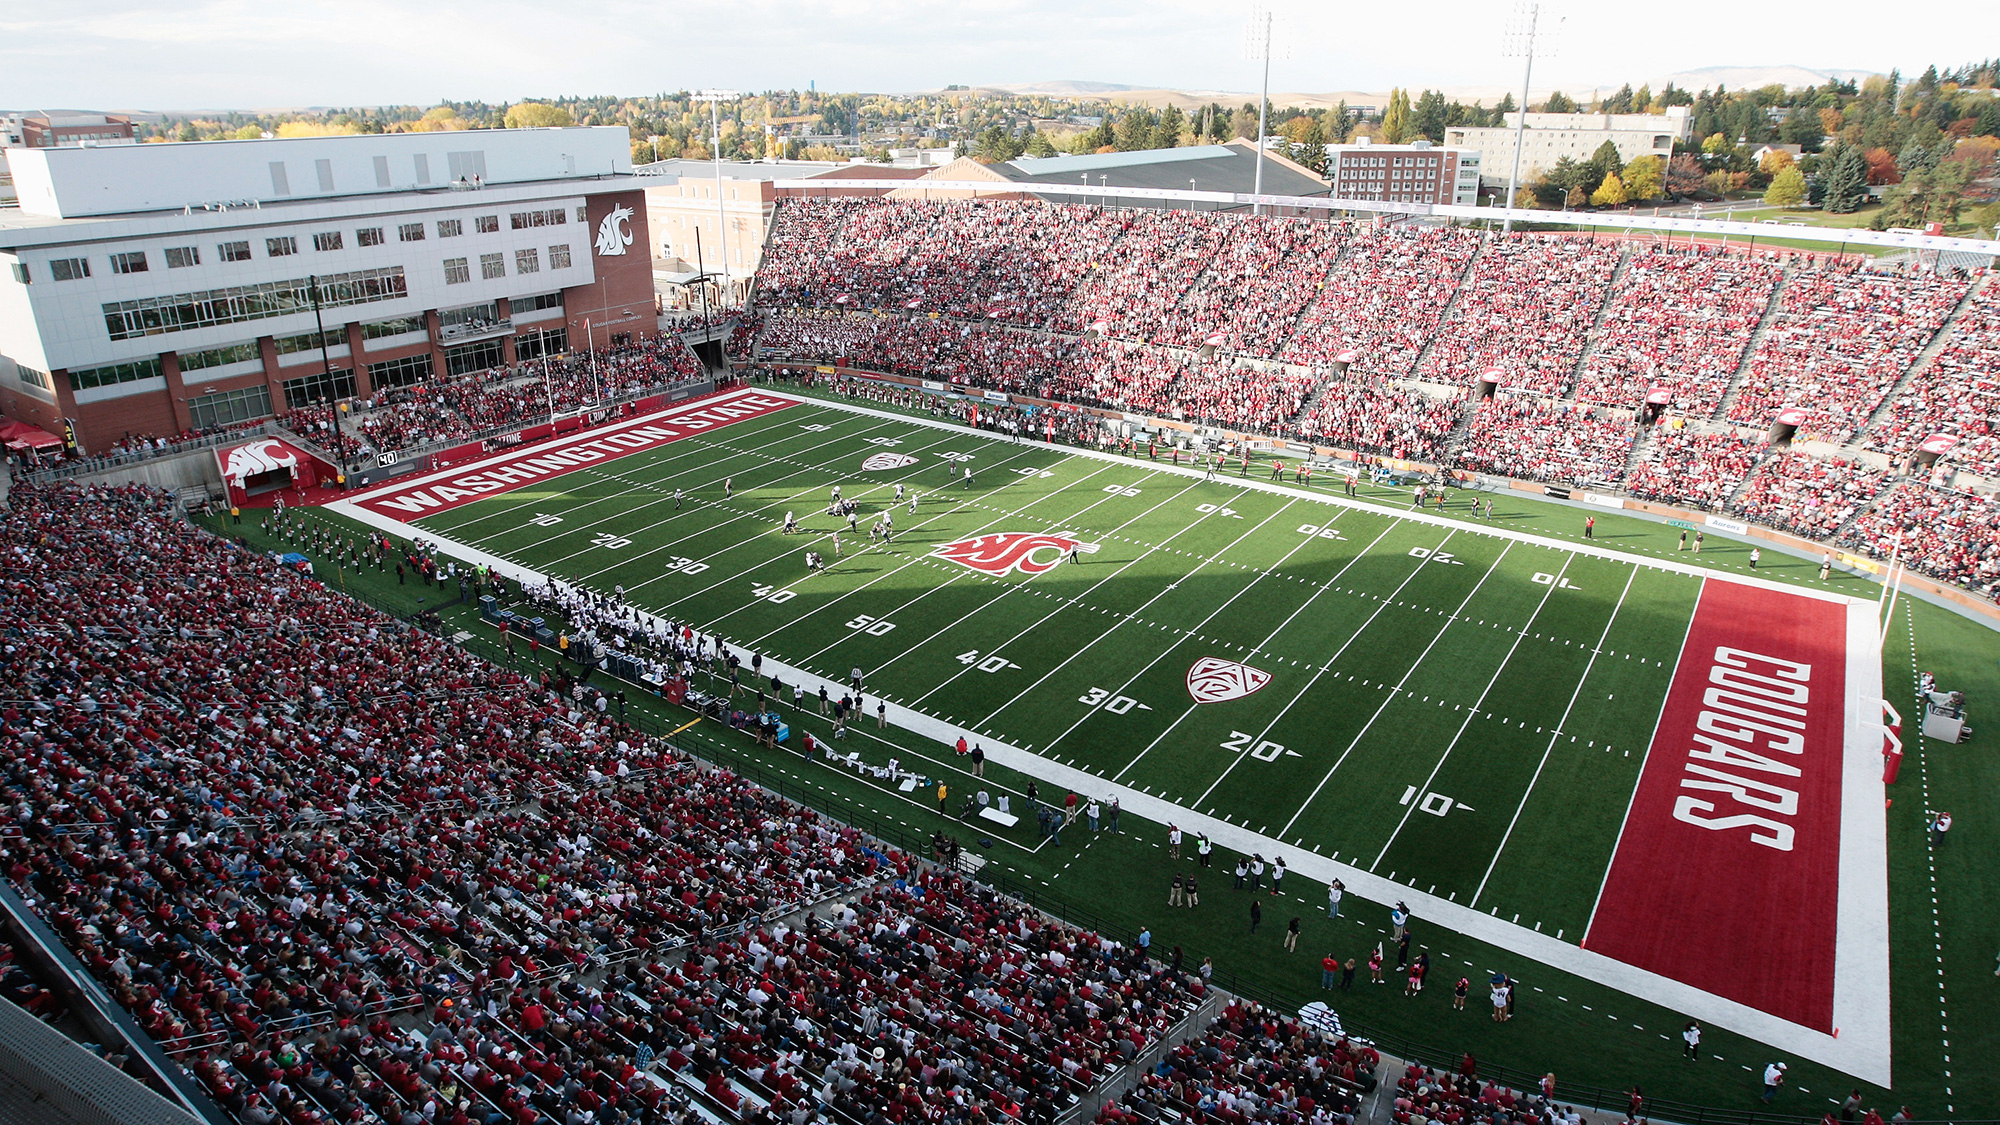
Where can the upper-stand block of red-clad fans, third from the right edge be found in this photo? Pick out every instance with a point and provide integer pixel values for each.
(1679, 321)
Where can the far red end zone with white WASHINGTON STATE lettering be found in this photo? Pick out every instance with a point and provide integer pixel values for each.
(445, 491)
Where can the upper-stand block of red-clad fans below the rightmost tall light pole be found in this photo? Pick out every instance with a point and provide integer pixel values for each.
(1525, 307)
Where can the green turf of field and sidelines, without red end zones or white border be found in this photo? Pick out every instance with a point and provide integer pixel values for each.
(1459, 712)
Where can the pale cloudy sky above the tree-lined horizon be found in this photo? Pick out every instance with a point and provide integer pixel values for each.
(121, 55)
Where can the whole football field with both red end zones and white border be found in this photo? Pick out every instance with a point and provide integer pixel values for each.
(1413, 702)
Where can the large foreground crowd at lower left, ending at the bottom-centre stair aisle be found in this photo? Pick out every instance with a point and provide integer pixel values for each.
(283, 830)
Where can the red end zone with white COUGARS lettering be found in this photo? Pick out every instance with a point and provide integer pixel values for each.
(1727, 876)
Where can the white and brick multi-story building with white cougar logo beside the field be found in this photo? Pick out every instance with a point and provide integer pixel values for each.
(167, 287)
